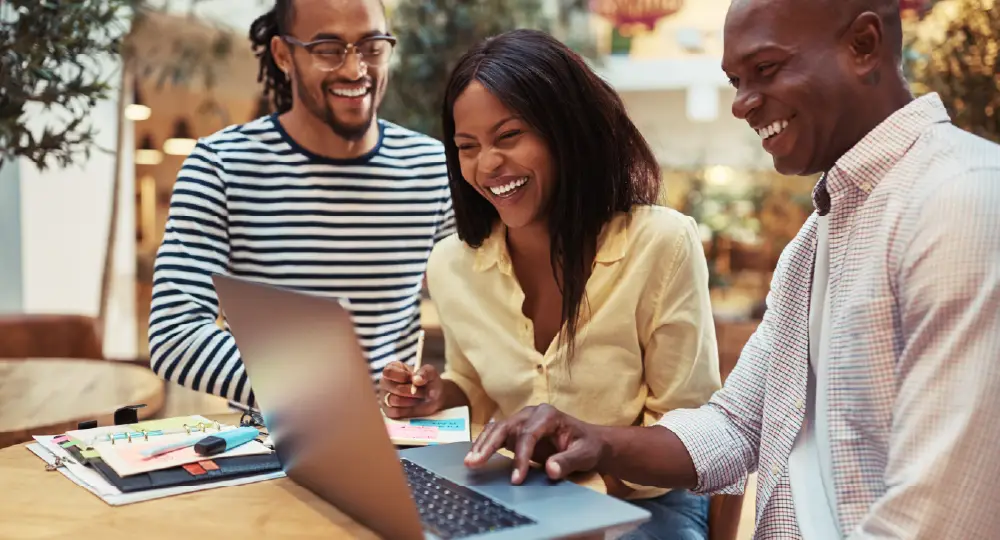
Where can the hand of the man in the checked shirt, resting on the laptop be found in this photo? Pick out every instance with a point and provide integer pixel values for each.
(542, 434)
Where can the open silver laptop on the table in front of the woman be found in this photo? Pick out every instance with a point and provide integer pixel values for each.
(315, 392)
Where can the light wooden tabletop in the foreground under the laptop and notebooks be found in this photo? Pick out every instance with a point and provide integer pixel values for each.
(38, 504)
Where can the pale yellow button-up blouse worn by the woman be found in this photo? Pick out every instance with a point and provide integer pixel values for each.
(645, 345)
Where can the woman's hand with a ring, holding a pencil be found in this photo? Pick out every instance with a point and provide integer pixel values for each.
(406, 395)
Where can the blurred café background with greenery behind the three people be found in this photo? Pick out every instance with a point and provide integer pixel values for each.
(94, 131)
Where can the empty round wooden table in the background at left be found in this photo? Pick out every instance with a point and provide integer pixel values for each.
(44, 396)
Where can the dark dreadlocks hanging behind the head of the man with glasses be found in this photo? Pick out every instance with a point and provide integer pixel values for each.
(273, 23)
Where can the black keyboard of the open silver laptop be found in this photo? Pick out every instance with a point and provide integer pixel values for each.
(452, 511)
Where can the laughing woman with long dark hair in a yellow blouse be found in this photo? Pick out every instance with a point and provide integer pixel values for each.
(565, 284)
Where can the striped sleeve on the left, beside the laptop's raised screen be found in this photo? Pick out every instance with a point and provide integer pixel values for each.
(186, 344)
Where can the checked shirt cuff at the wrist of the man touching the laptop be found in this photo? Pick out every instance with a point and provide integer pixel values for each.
(703, 433)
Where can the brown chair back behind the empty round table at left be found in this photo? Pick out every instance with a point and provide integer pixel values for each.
(50, 336)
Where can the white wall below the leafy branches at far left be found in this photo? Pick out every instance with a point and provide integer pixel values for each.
(64, 229)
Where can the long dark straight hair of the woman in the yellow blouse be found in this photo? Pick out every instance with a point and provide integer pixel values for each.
(603, 164)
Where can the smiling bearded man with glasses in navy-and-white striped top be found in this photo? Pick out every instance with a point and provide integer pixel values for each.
(322, 197)
